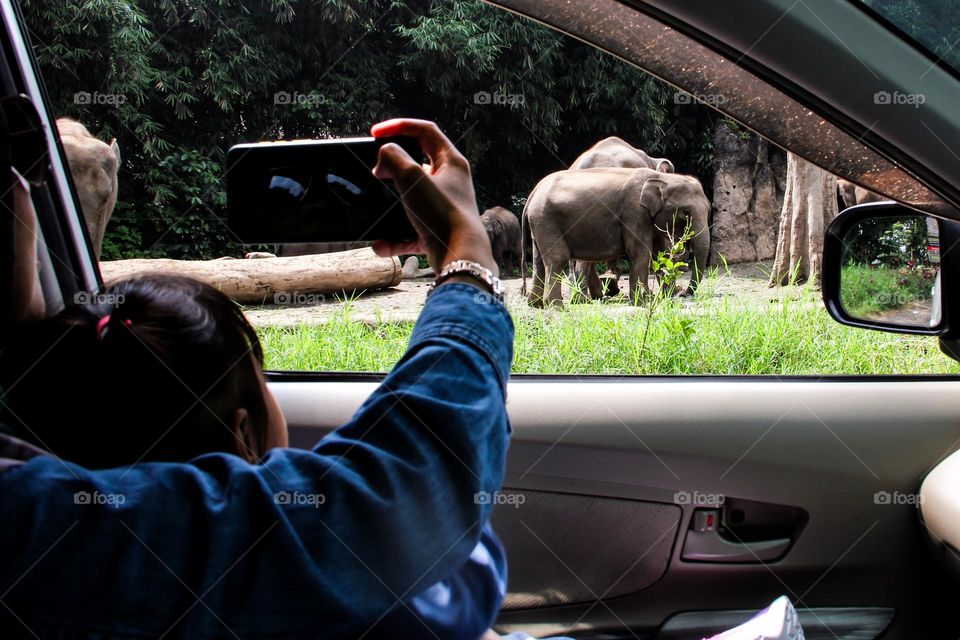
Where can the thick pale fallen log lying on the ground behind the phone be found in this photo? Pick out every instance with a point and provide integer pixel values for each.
(267, 280)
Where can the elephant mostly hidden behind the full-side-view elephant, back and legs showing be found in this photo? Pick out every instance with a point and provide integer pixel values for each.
(610, 152)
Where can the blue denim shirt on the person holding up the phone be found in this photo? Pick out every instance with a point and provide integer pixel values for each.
(320, 543)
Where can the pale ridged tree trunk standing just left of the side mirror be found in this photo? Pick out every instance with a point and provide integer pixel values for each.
(809, 205)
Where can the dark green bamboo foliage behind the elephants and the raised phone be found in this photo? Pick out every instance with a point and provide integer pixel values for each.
(177, 82)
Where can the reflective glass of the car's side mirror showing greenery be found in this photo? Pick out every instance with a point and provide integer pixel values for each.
(891, 271)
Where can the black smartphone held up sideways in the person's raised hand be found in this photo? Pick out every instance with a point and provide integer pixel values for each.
(314, 191)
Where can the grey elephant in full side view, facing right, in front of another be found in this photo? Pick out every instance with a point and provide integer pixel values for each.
(599, 214)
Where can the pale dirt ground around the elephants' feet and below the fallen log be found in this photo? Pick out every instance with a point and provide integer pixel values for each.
(748, 282)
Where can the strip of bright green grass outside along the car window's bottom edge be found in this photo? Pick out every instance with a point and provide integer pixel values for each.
(714, 335)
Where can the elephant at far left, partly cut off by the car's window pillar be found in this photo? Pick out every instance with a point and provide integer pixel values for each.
(94, 165)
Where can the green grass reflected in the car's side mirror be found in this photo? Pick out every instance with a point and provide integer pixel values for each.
(867, 292)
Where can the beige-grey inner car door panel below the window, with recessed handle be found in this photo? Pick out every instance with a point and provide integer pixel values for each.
(612, 470)
